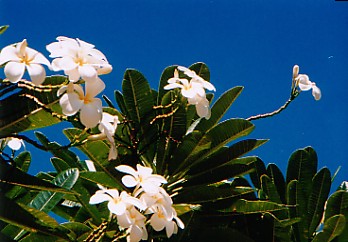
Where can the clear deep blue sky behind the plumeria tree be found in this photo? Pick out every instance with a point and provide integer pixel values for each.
(250, 43)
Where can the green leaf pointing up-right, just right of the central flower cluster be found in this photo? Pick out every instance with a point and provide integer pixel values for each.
(219, 108)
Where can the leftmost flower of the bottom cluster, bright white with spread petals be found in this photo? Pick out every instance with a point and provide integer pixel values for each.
(117, 203)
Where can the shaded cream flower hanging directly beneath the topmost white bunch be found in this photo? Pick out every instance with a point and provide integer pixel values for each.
(75, 100)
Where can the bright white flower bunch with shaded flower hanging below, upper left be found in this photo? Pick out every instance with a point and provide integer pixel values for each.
(80, 60)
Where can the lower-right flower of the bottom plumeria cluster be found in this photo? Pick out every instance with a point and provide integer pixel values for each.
(161, 219)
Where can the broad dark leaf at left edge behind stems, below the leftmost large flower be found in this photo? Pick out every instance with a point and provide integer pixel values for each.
(33, 105)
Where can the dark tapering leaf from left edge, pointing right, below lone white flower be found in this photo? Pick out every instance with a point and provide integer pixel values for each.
(10, 175)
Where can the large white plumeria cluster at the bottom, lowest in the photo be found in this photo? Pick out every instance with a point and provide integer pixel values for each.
(149, 203)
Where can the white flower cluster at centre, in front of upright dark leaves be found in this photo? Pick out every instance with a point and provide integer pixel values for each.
(193, 89)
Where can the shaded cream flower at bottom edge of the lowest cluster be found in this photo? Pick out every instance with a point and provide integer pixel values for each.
(135, 222)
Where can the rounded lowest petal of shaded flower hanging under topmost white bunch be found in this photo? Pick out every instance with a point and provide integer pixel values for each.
(90, 114)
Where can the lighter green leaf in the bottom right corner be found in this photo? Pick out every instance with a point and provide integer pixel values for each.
(333, 227)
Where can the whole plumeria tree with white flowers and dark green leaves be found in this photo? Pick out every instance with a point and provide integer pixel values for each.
(157, 165)
